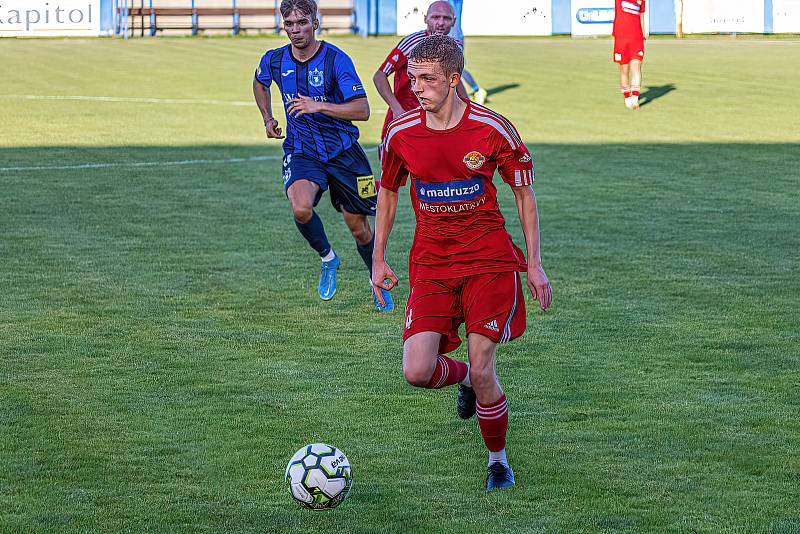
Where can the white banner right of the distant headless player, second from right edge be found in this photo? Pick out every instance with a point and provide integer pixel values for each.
(726, 16)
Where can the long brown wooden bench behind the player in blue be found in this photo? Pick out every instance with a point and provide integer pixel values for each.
(180, 18)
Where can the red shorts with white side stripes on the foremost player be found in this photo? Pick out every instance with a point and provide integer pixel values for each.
(490, 304)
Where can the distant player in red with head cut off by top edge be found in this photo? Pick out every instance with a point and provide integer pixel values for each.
(629, 48)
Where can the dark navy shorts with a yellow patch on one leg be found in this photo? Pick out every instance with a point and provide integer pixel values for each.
(348, 176)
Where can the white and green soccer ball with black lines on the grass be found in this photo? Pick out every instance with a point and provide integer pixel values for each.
(319, 476)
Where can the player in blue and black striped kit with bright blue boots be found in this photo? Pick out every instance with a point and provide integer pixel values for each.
(321, 94)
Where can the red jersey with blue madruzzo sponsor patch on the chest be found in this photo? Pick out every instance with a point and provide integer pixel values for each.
(460, 230)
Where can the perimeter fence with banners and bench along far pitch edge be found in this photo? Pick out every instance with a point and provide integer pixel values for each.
(388, 17)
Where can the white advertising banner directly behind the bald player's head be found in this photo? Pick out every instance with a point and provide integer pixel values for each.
(479, 17)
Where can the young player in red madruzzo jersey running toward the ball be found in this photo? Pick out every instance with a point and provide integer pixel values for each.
(463, 265)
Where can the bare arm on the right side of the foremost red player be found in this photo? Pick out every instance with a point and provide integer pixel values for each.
(529, 219)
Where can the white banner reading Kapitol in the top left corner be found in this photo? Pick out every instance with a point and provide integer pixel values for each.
(44, 18)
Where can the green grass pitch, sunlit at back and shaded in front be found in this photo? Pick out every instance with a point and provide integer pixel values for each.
(163, 352)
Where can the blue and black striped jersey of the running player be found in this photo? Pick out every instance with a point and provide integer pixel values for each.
(329, 76)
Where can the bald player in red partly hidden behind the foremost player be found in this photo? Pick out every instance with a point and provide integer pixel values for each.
(439, 20)
